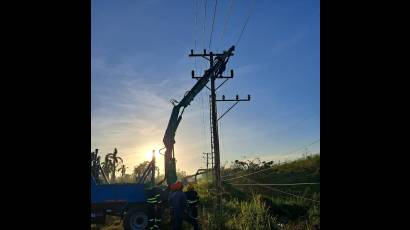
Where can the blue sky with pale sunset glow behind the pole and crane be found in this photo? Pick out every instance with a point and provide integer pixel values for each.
(139, 61)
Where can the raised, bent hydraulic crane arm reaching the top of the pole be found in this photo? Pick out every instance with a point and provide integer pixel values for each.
(169, 138)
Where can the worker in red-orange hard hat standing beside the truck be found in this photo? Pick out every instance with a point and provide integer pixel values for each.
(178, 204)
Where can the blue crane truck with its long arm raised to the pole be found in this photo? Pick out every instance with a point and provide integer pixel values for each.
(129, 201)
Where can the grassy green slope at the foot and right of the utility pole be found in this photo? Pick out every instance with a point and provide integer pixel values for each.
(247, 206)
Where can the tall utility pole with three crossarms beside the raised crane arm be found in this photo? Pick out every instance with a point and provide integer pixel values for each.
(215, 151)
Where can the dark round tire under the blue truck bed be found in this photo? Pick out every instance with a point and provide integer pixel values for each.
(136, 219)
